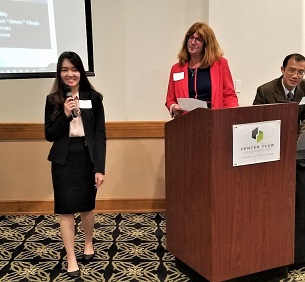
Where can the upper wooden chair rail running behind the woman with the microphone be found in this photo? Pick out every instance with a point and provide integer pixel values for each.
(114, 130)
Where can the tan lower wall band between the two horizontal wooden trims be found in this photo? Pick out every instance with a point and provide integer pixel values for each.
(134, 170)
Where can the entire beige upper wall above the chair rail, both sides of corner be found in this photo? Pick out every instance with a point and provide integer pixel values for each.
(137, 41)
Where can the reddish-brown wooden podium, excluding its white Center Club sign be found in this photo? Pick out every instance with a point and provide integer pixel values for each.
(227, 221)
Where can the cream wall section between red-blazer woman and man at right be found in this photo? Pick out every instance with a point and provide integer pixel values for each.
(256, 37)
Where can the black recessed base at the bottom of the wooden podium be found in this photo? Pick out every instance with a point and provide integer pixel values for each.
(271, 275)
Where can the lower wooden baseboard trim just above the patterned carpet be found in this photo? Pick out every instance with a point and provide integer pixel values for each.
(102, 206)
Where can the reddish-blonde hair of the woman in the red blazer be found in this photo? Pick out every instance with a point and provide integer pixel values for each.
(211, 50)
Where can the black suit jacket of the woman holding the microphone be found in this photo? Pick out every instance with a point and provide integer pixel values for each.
(57, 131)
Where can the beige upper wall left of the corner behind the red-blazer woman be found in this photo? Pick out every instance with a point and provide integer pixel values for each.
(135, 44)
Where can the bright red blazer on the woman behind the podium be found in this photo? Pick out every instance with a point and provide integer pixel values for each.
(223, 93)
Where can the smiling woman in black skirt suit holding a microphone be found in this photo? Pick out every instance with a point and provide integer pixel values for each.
(75, 123)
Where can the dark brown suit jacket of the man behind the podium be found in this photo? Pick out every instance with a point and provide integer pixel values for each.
(273, 92)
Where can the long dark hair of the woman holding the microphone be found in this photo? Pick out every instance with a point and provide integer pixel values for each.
(57, 91)
